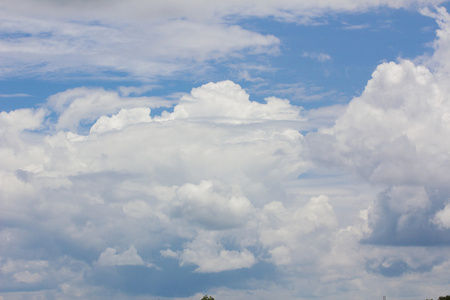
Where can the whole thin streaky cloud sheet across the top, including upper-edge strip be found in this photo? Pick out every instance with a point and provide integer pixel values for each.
(145, 39)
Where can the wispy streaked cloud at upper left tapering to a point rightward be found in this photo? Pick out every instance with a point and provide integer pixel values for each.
(143, 50)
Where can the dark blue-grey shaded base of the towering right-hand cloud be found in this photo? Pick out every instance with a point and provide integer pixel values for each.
(408, 216)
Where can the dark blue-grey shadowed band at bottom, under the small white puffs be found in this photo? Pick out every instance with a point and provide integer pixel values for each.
(175, 281)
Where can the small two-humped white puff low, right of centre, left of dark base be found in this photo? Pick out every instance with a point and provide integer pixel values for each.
(284, 231)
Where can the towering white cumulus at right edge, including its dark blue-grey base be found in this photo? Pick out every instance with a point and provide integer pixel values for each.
(392, 135)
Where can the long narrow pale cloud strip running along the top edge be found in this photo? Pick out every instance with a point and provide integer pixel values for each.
(202, 9)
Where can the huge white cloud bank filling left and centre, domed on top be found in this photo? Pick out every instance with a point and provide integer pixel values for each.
(195, 184)
